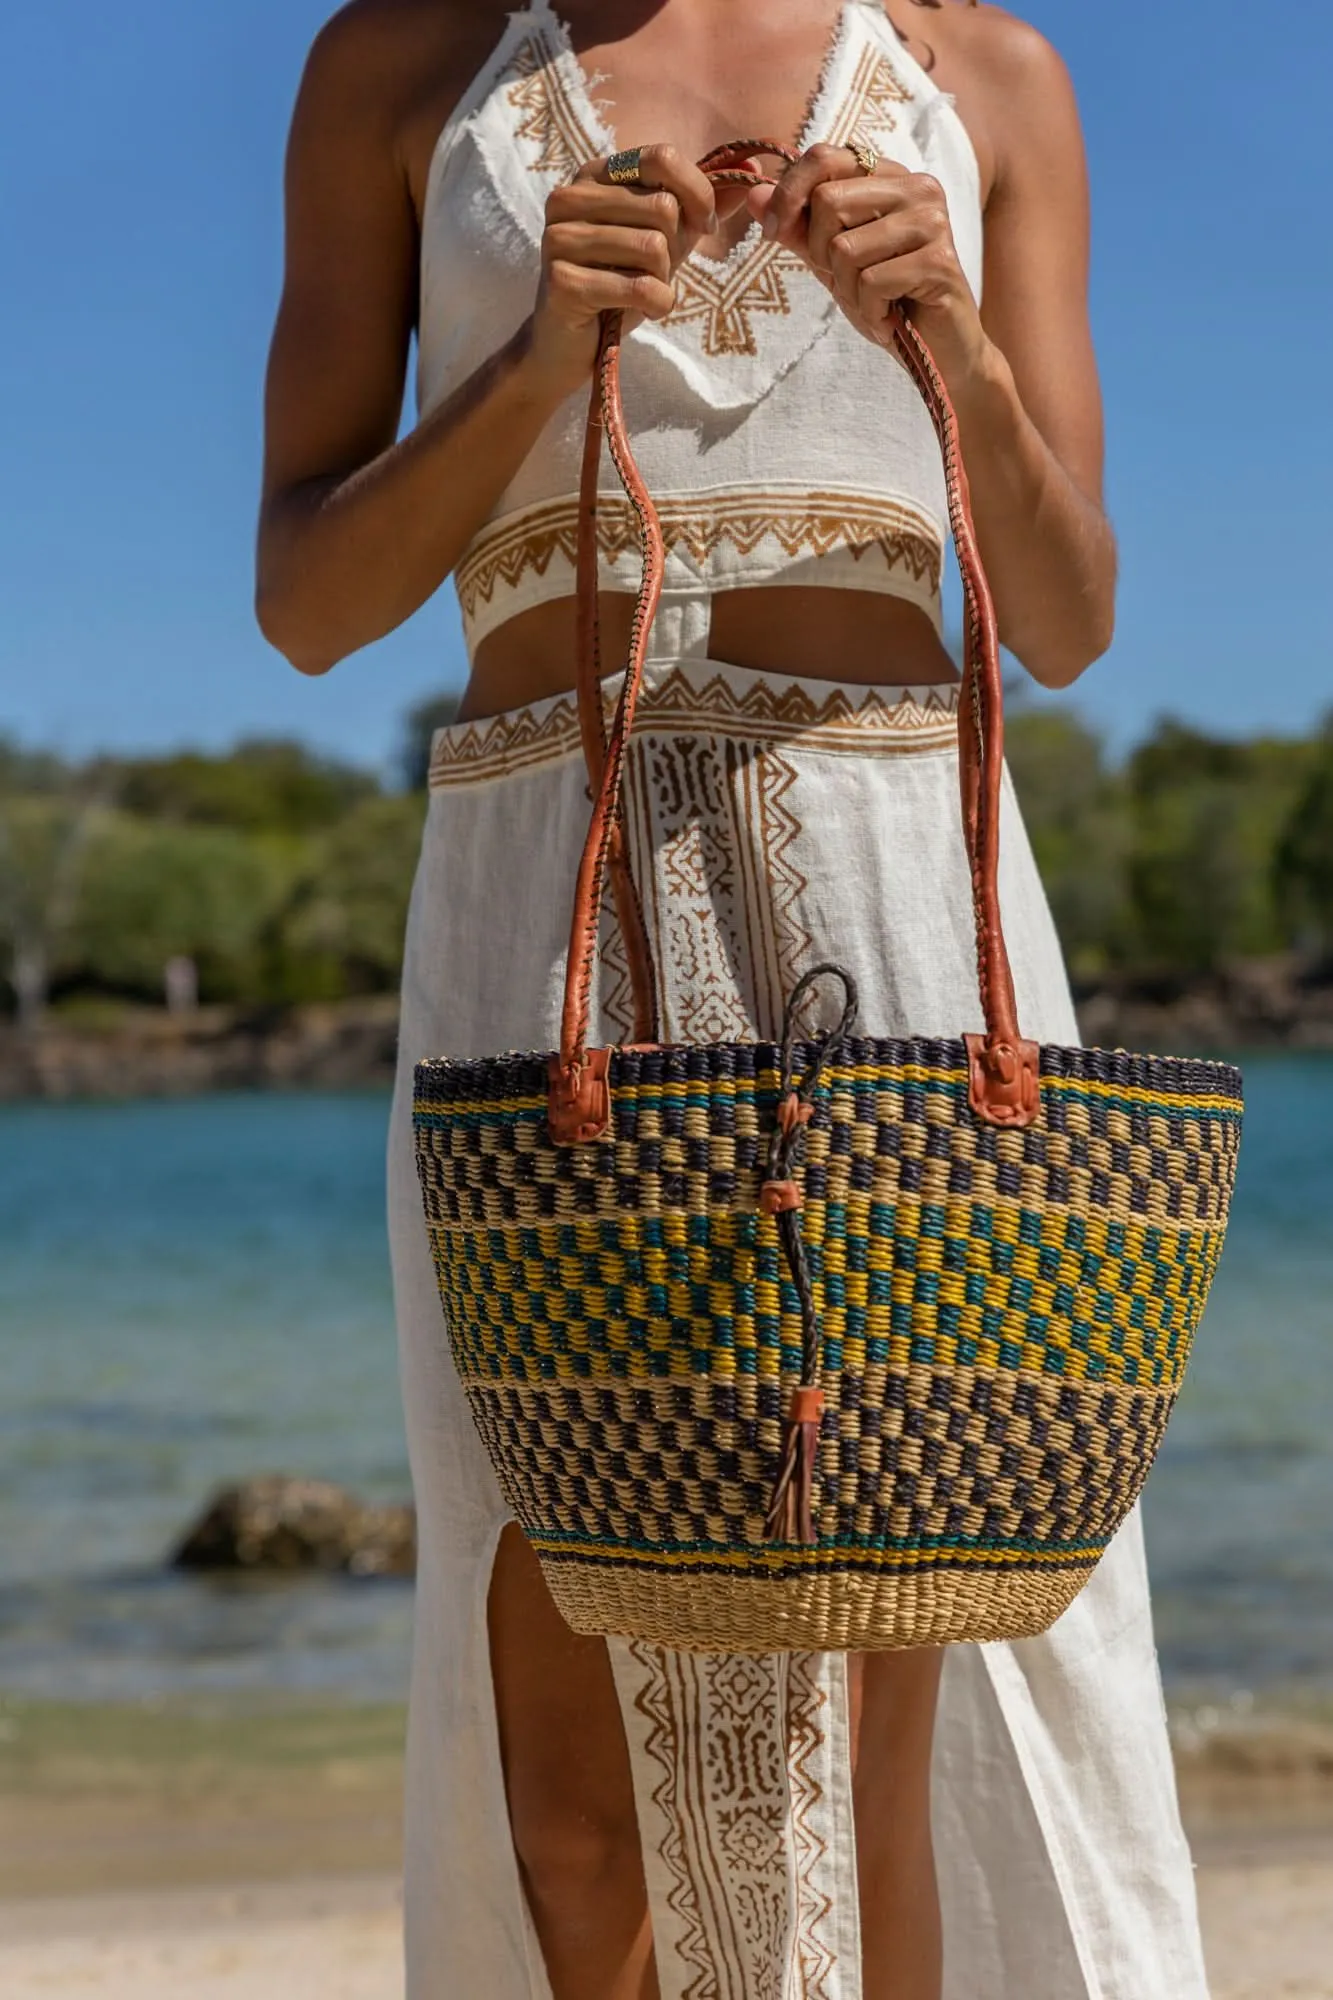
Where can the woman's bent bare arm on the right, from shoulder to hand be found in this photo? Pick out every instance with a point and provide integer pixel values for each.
(1022, 373)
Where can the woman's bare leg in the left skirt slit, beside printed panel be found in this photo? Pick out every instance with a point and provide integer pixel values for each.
(571, 1799)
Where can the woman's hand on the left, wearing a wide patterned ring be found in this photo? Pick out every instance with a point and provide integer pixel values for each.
(613, 247)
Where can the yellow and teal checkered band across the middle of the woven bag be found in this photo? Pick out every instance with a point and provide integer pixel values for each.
(495, 1321)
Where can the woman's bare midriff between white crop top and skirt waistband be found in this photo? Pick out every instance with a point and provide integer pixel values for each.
(826, 635)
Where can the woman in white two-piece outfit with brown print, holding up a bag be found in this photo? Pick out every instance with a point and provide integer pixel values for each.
(611, 1821)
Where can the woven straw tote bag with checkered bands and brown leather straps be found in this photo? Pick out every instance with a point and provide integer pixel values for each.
(818, 1345)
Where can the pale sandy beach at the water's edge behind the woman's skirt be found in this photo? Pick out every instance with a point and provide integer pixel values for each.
(147, 1855)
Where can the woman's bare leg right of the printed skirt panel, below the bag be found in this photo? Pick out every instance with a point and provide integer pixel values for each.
(894, 1699)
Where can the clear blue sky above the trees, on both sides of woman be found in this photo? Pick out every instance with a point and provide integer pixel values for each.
(141, 157)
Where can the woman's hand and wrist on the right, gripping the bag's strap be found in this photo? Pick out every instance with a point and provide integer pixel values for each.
(880, 241)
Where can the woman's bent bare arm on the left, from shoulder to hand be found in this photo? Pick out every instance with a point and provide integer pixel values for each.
(357, 531)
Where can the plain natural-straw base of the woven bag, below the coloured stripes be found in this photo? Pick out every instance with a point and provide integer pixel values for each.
(814, 1613)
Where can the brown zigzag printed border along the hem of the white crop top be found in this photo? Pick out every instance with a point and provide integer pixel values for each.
(698, 527)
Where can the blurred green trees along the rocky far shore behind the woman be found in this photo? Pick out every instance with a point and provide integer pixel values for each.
(193, 923)
